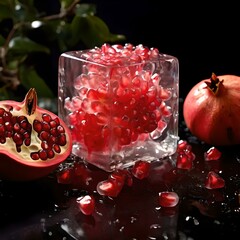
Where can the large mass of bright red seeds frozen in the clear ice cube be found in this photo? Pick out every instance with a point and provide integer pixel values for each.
(119, 101)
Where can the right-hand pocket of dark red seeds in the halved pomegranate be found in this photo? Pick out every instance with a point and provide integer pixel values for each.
(52, 136)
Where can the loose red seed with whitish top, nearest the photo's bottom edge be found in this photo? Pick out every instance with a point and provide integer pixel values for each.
(86, 204)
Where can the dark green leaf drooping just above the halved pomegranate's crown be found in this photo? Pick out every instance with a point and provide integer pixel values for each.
(29, 78)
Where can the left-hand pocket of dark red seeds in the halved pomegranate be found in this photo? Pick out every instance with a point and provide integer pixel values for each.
(15, 127)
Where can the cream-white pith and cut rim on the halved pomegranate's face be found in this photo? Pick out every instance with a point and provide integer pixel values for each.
(9, 147)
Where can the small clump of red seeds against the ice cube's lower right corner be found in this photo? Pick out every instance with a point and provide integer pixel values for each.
(185, 156)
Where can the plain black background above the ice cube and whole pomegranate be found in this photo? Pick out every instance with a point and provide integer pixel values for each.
(204, 38)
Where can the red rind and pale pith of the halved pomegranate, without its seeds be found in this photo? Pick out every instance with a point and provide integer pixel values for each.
(18, 166)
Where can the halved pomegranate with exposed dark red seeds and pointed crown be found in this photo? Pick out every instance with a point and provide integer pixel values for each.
(33, 141)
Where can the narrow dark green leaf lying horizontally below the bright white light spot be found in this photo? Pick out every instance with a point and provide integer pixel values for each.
(23, 45)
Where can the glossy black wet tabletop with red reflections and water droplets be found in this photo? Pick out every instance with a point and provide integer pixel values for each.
(47, 209)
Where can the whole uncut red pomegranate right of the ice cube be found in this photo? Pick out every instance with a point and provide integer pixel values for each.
(211, 110)
